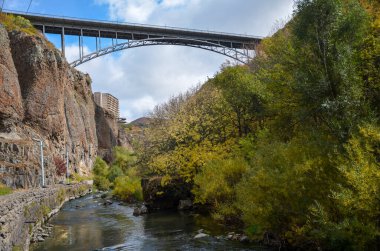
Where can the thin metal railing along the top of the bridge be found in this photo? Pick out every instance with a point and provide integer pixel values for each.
(68, 18)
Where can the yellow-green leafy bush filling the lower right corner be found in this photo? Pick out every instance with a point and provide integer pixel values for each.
(356, 202)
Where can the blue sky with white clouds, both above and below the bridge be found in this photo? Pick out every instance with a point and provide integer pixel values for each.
(144, 77)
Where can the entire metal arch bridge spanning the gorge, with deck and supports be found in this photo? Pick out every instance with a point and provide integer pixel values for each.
(129, 35)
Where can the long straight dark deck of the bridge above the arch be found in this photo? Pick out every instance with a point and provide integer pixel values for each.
(129, 31)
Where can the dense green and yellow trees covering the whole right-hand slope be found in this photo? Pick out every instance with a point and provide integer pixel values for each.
(288, 146)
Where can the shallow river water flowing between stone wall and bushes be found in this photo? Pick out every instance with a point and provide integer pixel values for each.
(87, 224)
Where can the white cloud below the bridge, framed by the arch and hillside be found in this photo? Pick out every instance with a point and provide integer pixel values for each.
(144, 77)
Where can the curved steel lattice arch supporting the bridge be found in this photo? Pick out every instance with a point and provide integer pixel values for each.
(233, 53)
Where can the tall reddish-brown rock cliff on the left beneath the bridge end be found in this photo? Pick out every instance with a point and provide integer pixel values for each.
(42, 97)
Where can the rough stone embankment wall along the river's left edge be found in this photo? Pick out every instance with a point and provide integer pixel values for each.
(22, 214)
